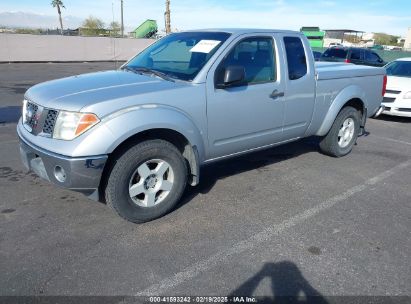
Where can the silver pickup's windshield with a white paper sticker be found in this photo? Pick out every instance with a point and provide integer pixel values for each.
(179, 55)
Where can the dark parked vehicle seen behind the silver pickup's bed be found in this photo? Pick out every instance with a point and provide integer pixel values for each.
(353, 55)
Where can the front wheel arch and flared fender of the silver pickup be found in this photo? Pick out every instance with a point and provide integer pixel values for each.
(132, 127)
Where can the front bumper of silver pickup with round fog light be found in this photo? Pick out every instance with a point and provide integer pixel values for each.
(81, 174)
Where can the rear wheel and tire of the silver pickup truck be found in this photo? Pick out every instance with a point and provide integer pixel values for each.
(343, 133)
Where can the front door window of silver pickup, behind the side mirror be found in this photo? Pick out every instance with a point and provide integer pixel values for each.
(256, 55)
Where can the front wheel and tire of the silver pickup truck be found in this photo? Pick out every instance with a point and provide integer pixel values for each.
(153, 166)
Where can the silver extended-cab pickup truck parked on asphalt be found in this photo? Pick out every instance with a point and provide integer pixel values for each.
(134, 137)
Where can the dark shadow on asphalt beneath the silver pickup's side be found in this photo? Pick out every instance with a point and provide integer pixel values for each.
(210, 174)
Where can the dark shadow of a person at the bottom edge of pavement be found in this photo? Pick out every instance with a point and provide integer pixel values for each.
(287, 285)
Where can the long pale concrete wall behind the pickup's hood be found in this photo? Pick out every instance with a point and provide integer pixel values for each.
(20, 47)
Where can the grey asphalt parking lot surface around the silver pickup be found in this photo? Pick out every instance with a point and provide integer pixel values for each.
(286, 221)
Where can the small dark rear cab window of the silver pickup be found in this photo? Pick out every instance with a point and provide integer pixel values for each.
(297, 63)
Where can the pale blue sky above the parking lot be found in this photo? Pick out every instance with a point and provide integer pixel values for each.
(393, 17)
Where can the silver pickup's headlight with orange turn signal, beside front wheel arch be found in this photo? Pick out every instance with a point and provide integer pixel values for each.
(69, 125)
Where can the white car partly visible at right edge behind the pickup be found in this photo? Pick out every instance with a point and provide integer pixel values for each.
(397, 98)
